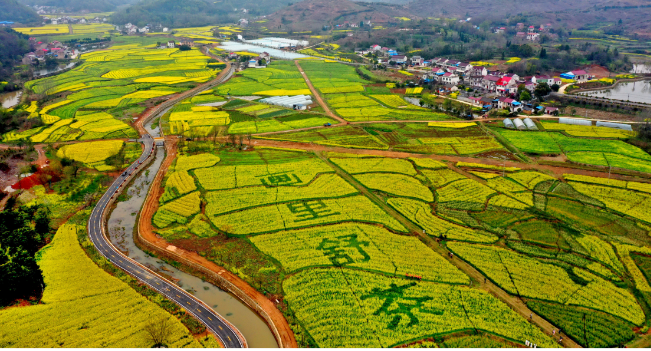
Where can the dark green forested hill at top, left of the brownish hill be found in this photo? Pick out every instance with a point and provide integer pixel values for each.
(190, 13)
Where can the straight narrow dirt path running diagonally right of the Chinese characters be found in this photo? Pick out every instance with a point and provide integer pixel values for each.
(515, 303)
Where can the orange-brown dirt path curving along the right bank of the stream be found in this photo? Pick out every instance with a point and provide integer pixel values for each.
(146, 233)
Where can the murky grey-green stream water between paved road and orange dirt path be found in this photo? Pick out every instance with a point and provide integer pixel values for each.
(121, 226)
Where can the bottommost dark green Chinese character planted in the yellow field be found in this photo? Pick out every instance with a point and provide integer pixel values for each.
(396, 303)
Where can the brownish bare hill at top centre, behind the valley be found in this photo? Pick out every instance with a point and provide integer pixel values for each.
(314, 14)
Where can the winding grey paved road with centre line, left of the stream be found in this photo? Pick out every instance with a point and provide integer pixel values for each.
(226, 332)
